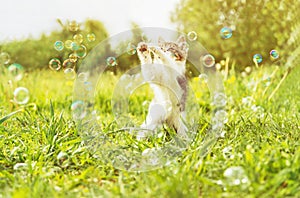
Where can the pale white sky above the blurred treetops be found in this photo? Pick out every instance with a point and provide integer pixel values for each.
(20, 19)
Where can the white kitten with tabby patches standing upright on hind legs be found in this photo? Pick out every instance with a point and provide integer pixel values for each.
(163, 65)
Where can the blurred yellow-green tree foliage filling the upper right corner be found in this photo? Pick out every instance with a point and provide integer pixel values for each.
(258, 26)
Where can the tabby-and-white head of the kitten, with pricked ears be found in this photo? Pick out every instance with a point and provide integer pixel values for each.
(176, 50)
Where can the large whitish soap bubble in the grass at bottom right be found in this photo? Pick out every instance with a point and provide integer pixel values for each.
(236, 176)
